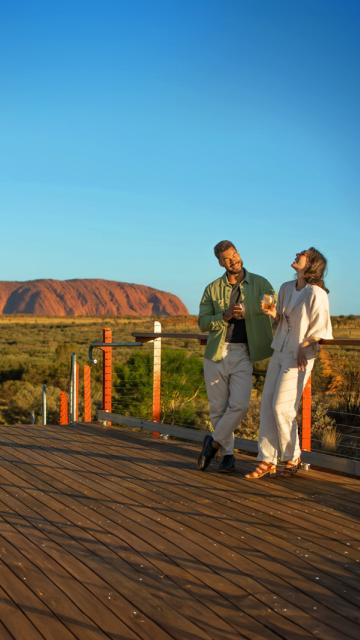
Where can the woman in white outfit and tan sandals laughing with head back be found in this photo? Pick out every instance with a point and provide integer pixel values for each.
(303, 318)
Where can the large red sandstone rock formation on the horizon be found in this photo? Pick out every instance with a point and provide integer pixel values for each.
(86, 297)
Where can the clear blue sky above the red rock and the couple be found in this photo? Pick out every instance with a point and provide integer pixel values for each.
(135, 134)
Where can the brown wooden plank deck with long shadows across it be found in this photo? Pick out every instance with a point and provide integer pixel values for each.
(110, 534)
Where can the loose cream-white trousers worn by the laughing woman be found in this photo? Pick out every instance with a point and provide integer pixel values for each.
(284, 384)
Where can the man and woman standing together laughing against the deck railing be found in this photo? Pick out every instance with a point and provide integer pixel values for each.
(239, 322)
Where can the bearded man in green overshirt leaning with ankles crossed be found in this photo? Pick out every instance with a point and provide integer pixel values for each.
(239, 334)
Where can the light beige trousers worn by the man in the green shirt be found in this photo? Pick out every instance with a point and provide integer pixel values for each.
(228, 385)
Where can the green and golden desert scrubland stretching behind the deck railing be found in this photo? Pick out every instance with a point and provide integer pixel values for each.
(37, 351)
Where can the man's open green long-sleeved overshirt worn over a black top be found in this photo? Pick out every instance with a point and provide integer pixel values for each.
(216, 299)
